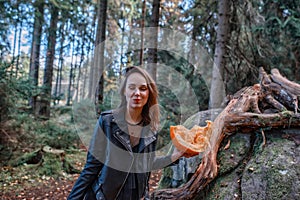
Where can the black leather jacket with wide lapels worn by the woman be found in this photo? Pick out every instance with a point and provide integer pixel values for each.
(110, 159)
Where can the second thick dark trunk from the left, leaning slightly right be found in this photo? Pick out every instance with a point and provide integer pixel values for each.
(48, 72)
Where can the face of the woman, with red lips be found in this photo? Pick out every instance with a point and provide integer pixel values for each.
(136, 91)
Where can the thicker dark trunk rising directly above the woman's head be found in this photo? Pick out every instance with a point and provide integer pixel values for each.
(152, 51)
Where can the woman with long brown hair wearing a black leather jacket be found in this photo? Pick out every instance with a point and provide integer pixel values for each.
(122, 150)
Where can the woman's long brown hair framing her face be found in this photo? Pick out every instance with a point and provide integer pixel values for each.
(150, 112)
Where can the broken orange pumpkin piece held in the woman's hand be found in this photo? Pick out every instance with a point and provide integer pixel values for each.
(193, 141)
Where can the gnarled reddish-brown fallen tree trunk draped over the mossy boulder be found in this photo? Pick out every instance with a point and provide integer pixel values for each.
(273, 103)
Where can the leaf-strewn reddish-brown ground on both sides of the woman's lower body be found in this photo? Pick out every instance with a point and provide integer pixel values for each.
(15, 183)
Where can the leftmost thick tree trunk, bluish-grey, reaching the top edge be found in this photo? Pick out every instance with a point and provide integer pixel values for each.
(35, 50)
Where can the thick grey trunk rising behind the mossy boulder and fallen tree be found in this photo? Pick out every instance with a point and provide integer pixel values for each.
(217, 92)
